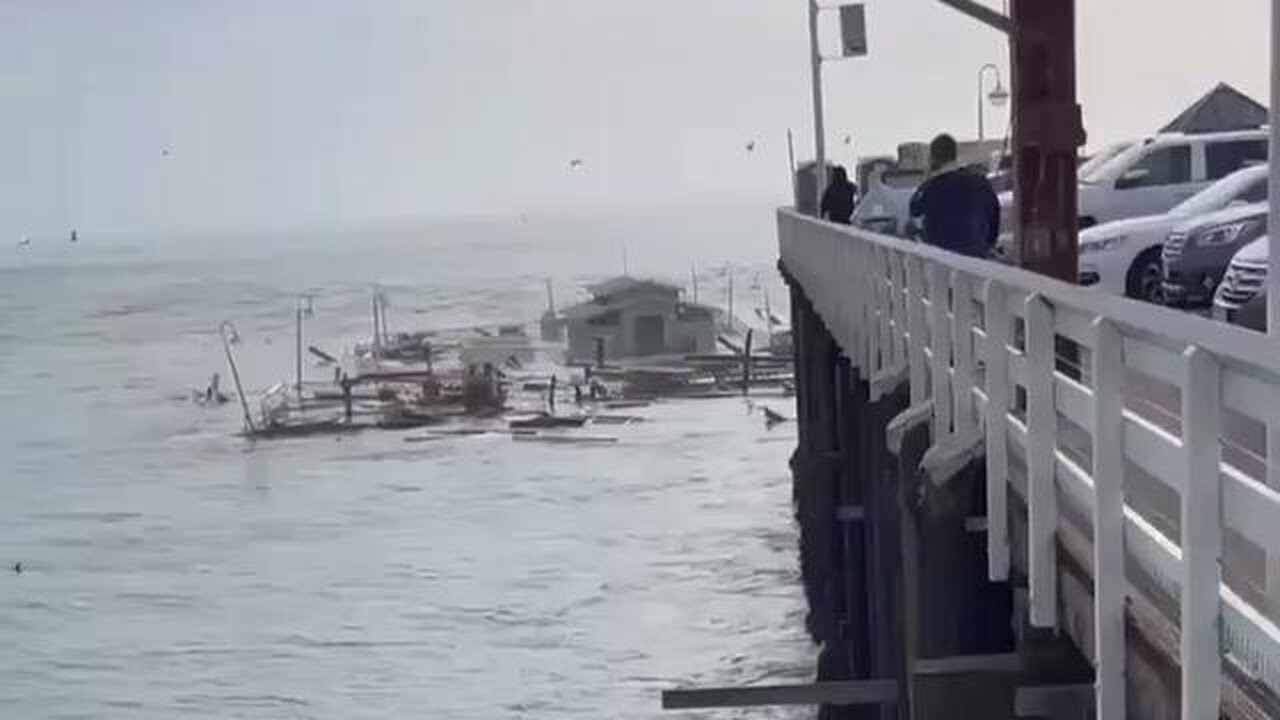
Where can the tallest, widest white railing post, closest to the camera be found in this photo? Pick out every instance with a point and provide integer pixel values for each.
(1203, 537)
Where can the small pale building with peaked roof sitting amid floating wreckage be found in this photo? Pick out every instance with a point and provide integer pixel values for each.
(638, 318)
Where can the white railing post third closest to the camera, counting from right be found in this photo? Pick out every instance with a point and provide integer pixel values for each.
(1041, 450)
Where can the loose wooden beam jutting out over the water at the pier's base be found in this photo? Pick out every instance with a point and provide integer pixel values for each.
(845, 692)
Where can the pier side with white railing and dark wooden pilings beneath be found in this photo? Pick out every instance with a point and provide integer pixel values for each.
(1020, 498)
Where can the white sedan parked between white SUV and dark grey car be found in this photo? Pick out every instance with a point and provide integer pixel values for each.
(1123, 257)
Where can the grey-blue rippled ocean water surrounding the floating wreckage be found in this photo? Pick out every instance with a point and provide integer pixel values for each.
(172, 569)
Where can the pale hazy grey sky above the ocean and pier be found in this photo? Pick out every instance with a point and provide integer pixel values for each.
(312, 113)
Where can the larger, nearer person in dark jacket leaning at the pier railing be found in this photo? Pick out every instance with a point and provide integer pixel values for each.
(958, 206)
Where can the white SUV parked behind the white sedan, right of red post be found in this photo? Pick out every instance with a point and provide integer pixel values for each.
(1153, 175)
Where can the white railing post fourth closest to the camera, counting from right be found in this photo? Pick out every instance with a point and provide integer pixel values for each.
(996, 379)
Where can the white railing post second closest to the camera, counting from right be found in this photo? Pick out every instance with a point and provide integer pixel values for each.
(1110, 585)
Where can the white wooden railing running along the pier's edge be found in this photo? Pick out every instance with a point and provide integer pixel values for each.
(1091, 407)
